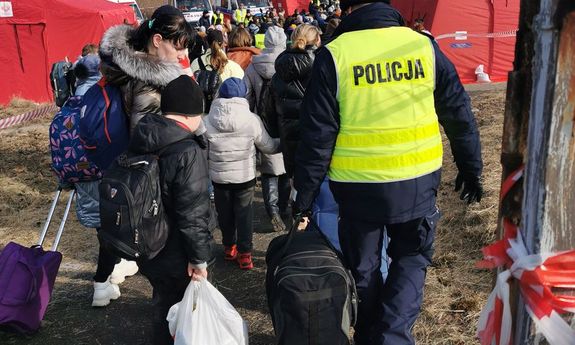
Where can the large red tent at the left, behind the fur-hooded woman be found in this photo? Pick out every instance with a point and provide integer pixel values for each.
(38, 33)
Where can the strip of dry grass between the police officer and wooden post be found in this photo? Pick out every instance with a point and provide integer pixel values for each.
(455, 290)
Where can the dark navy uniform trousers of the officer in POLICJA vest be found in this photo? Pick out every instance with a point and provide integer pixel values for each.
(387, 311)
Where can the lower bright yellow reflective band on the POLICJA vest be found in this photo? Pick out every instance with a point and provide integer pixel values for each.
(408, 161)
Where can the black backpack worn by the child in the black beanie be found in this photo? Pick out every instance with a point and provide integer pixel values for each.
(134, 224)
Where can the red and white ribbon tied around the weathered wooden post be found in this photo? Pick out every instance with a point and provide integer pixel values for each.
(537, 275)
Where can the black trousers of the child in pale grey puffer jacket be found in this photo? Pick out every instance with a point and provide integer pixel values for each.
(235, 216)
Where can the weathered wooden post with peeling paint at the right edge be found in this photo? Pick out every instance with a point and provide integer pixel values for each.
(543, 118)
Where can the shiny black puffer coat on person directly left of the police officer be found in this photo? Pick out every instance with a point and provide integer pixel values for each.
(293, 71)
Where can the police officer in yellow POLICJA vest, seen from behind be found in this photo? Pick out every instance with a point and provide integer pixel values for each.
(370, 121)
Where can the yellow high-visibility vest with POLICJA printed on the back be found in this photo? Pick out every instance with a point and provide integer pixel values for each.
(388, 126)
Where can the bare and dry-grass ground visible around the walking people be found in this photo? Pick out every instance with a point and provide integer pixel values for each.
(455, 290)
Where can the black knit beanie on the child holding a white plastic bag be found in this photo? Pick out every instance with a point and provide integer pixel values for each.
(182, 96)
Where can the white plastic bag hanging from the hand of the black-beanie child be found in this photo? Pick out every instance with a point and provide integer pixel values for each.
(205, 317)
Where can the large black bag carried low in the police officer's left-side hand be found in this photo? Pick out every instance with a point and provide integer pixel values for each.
(311, 295)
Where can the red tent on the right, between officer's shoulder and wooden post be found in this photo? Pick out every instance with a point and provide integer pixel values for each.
(470, 33)
